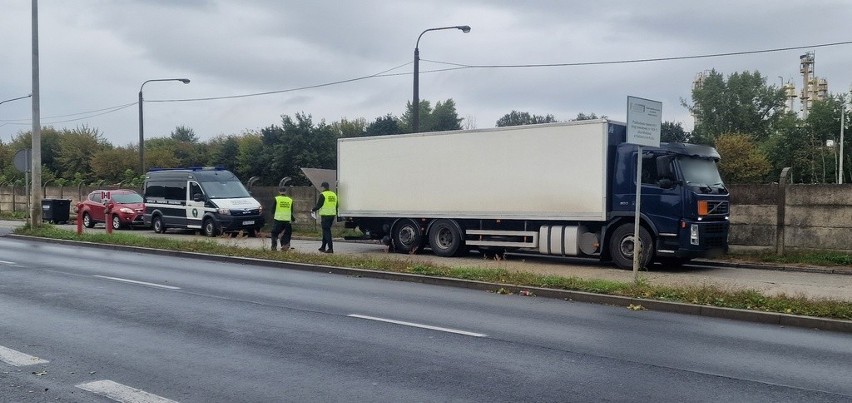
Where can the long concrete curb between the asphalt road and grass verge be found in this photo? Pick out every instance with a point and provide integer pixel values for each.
(578, 296)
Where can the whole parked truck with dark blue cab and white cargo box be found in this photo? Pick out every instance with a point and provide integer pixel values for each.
(566, 189)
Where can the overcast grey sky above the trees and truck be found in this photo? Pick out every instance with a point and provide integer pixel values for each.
(95, 54)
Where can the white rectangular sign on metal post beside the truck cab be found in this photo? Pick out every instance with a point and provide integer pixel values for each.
(644, 121)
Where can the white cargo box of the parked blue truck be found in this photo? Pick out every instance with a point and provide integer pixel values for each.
(551, 171)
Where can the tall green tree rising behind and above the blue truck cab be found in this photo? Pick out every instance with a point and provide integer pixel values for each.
(741, 104)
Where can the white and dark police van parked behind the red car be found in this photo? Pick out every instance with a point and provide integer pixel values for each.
(211, 200)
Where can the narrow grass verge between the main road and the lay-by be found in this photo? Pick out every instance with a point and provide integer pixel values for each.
(704, 294)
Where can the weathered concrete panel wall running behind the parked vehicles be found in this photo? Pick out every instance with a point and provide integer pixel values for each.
(763, 217)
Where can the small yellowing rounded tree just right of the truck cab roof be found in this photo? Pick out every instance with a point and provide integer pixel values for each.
(742, 161)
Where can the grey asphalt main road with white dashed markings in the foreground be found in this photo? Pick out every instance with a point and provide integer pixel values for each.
(190, 330)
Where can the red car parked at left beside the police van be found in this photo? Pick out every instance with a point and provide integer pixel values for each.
(126, 207)
